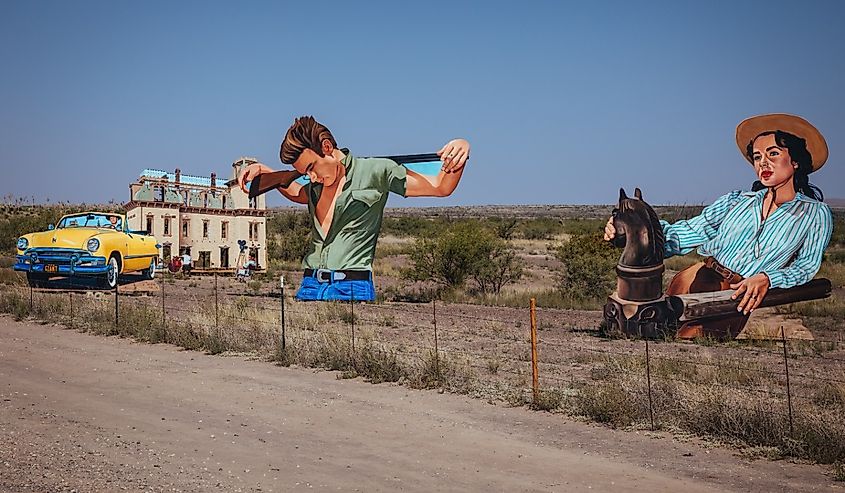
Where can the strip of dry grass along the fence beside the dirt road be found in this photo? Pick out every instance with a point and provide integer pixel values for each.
(712, 395)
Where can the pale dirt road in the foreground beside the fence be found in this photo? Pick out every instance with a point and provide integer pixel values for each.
(87, 413)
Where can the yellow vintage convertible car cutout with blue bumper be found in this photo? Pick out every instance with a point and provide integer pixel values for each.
(88, 244)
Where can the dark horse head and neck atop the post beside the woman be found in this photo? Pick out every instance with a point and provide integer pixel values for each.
(638, 232)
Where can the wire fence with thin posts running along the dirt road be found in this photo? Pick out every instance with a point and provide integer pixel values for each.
(790, 386)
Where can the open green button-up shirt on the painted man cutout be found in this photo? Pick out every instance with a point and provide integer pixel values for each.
(350, 243)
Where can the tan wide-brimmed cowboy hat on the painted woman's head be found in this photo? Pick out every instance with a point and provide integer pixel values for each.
(750, 128)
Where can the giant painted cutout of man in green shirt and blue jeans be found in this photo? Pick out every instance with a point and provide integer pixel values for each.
(346, 196)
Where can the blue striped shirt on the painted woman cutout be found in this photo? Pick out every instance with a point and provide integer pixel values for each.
(787, 246)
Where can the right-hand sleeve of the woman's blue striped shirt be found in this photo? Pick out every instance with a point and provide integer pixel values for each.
(809, 257)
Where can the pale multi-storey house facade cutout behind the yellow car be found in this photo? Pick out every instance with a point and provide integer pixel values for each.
(204, 217)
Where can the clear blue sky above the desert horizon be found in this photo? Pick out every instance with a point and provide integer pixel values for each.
(562, 101)
